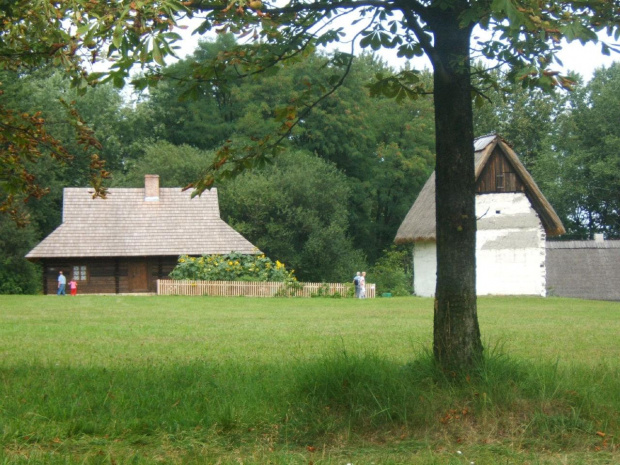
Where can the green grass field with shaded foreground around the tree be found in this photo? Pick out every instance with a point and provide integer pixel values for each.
(106, 379)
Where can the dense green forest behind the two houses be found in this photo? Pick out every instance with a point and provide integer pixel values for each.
(331, 202)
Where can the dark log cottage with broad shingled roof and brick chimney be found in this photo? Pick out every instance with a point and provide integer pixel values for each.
(124, 243)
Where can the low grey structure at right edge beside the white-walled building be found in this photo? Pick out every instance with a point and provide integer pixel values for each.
(584, 269)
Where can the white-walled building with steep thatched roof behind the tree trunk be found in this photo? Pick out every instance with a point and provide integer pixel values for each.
(514, 219)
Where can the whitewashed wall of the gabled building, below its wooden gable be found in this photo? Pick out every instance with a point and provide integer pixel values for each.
(510, 249)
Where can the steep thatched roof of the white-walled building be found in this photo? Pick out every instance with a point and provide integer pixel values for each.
(419, 224)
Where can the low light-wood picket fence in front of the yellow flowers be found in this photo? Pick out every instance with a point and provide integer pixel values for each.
(256, 289)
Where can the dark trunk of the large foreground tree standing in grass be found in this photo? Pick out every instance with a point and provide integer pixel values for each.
(456, 338)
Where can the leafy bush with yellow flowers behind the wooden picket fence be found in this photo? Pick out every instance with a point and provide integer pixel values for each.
(231, 267)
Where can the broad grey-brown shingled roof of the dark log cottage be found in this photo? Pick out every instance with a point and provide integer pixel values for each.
(140, 222)
